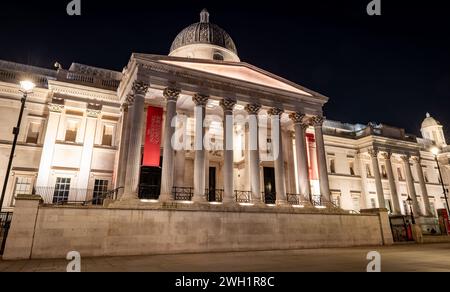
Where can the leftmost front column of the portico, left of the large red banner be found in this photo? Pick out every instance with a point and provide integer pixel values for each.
(136, 113)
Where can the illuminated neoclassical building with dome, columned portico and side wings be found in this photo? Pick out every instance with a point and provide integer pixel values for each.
(103, 138)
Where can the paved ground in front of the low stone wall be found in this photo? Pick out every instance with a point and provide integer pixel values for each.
(411, 258)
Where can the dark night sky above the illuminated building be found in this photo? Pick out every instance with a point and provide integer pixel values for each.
(388, 69)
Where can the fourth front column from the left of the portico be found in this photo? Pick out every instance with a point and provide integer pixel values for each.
(228, 154)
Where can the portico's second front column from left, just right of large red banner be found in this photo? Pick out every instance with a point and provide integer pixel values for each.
(171, 96)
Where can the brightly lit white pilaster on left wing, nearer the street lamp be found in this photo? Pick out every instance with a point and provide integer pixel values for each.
(48, 148)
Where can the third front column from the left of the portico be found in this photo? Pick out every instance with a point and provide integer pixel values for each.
(199, 162)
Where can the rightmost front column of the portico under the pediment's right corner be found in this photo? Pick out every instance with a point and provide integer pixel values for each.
(317, 123)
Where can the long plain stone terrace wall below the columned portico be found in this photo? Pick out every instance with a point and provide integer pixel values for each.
(114, 232)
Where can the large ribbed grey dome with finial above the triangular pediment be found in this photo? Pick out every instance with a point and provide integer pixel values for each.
(204, 33)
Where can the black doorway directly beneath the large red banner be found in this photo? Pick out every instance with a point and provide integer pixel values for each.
(150, 182)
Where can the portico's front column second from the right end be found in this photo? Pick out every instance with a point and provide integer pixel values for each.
(301, 155)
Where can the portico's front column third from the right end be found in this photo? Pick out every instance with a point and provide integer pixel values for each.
(277, 146)
